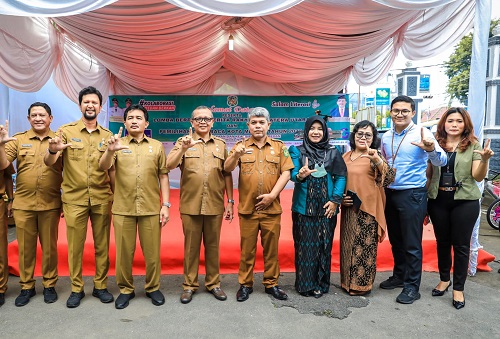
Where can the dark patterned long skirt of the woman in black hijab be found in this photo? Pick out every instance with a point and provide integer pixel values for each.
(313, 237)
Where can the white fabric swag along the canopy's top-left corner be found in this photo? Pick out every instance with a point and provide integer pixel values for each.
(50, 8)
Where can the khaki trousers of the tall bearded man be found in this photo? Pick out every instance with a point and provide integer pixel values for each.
(76, 229)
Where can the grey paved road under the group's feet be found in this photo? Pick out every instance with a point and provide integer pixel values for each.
(335, 315)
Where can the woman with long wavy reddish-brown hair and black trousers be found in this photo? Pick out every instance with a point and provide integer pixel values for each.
(453, 203)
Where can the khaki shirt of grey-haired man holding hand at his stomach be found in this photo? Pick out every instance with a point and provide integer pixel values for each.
(260, 169)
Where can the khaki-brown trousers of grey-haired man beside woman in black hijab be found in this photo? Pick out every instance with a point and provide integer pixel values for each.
(269, 226)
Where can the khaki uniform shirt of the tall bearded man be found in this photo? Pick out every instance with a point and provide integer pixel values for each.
(83, 181)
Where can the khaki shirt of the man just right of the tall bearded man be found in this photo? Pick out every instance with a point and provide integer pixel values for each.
(137, 188)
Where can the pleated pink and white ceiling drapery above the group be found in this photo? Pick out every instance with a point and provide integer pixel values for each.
(157, 46)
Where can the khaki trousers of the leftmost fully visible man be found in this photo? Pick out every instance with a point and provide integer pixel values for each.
(31, 225)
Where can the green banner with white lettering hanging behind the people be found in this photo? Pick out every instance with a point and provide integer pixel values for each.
(169, 115)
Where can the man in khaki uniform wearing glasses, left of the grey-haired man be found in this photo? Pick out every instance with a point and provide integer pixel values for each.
(201, 157)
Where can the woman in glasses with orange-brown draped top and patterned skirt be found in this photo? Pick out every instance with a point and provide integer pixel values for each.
(362, 227)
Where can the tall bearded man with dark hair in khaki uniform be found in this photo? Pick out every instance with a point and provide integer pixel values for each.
(86, 193)
